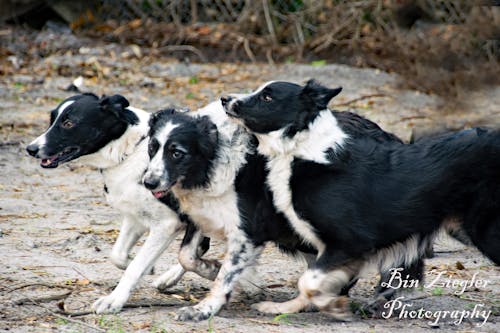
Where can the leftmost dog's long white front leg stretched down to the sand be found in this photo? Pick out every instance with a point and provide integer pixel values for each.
(158, 240)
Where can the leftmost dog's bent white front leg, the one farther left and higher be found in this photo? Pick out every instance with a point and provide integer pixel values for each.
(130, 232)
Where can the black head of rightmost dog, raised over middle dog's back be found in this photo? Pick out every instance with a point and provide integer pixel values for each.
(279, 105)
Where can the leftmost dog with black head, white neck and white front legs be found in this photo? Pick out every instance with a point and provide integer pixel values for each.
(109, 134)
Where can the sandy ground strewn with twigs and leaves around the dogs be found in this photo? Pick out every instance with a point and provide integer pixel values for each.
(56, 230)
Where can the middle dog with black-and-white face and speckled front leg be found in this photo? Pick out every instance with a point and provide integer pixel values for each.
(210, 165)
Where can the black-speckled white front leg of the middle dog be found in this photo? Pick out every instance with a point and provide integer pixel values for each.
(241, 253)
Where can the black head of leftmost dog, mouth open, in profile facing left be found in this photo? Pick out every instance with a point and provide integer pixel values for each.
(81, 125)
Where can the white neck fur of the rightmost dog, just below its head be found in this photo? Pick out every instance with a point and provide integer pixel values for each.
(311, 143)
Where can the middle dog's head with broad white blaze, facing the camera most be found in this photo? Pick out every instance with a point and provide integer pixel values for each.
(181, 151)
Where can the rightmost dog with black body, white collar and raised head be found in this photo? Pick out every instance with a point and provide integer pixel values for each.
(359, 202)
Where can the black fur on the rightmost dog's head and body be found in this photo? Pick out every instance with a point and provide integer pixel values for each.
(374, 195)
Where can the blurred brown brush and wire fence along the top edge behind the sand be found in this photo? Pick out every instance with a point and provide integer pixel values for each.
(439, 46)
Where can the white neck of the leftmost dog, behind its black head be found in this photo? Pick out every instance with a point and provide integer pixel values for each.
(117, 151)
